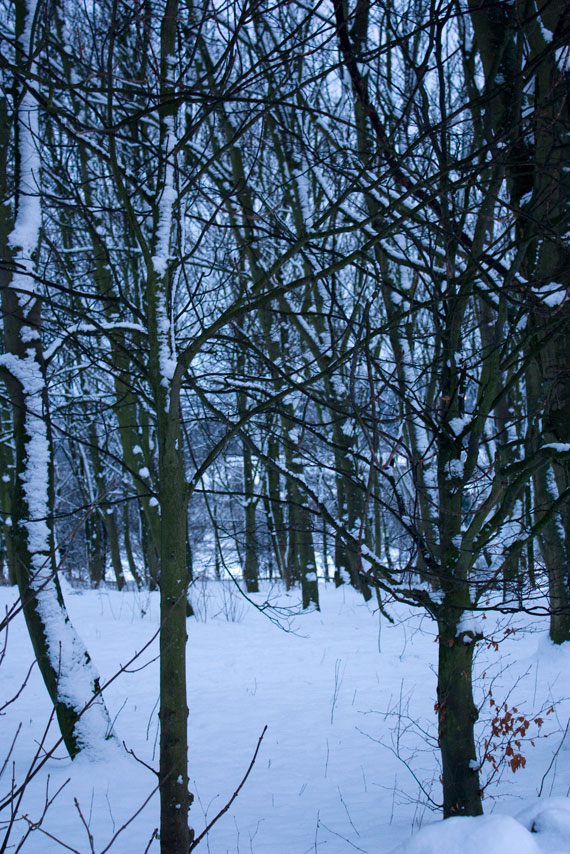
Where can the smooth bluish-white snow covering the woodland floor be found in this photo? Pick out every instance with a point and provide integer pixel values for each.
(349, 761)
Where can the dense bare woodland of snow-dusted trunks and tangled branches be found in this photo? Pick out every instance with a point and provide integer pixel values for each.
(284, 295)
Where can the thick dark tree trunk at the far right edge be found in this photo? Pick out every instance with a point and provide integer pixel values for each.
(527, 121)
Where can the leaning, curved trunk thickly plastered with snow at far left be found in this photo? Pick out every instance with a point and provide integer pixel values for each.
(65, 665)
